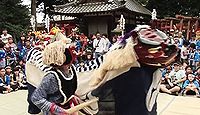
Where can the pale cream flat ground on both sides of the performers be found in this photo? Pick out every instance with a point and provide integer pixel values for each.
(15, 104)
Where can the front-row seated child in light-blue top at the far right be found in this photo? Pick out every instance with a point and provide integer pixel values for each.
(191, 86)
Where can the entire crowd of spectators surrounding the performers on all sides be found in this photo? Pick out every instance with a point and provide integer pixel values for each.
(182, 77)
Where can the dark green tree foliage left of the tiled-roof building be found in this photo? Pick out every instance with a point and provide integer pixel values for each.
(14, 17)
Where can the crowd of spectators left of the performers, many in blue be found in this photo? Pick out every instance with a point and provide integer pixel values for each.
(12, 62)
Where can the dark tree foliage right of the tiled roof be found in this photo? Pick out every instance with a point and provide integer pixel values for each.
(172, 7)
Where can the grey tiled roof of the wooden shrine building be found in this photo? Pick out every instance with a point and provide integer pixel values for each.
(131, 5)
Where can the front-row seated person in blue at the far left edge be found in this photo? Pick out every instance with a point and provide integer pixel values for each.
(4, 82)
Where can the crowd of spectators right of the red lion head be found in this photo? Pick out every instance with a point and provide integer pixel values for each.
(183, 76)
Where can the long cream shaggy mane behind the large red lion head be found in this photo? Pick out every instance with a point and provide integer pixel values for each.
(115, 60)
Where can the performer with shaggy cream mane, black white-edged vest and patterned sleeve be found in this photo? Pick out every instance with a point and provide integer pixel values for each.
(59, 84)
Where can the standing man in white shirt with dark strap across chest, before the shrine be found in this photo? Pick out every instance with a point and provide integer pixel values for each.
(98, 45)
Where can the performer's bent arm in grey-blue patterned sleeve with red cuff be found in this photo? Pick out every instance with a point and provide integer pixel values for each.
(48, 85)
